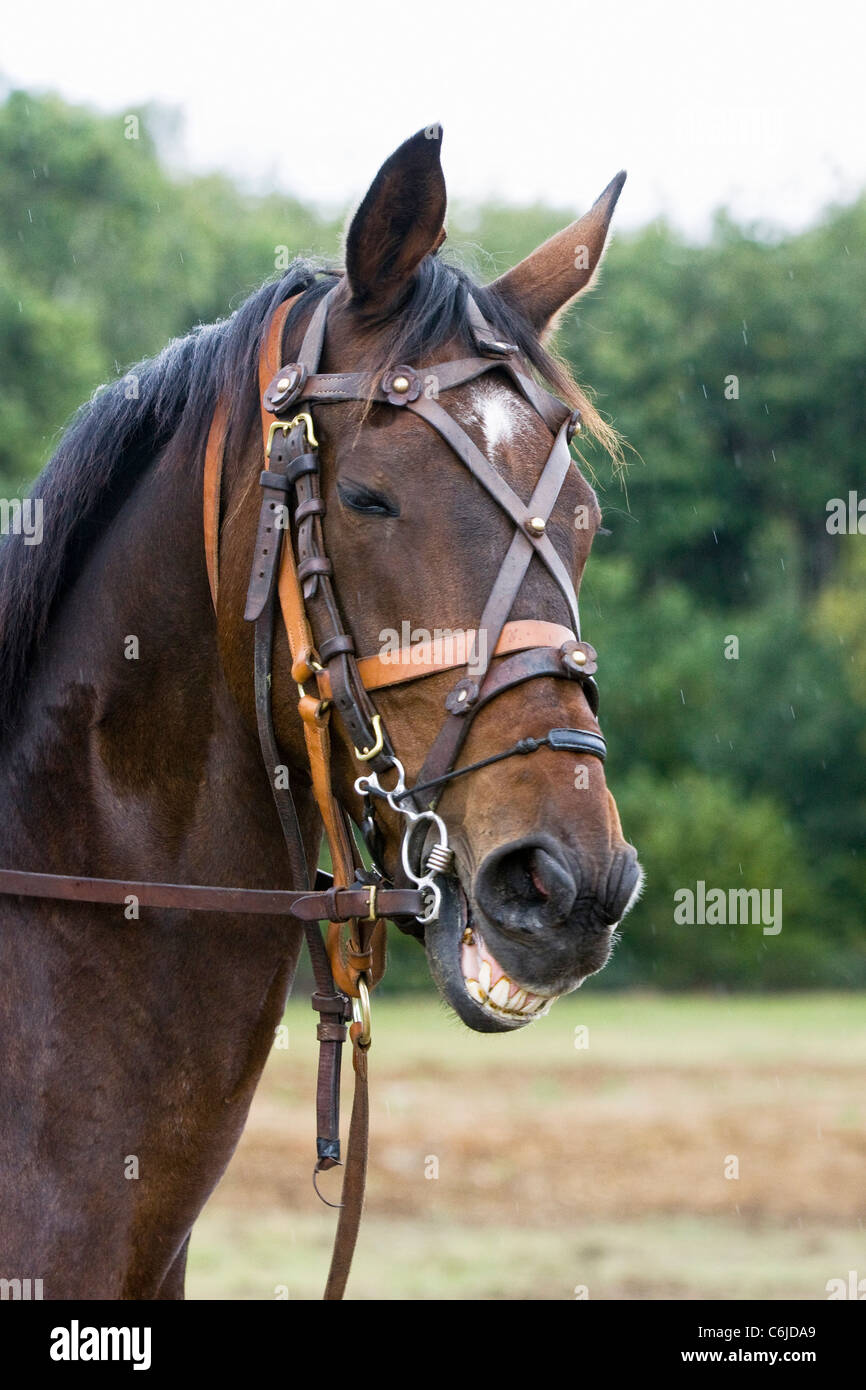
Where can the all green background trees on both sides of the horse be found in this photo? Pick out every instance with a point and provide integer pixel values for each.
(743, 771)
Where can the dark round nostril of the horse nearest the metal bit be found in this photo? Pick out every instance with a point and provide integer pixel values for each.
(526, 886)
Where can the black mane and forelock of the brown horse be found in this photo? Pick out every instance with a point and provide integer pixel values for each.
(124, 427)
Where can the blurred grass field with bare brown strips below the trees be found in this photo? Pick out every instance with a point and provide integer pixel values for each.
(562, 1167)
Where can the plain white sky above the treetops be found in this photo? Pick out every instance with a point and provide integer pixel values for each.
(757, 105)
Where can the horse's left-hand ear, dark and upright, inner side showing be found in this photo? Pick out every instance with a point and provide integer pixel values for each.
(400, 222)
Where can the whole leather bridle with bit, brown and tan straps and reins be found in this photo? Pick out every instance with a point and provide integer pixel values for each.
(294, 575)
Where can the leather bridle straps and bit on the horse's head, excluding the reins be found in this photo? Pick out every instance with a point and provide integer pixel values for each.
(514, 653)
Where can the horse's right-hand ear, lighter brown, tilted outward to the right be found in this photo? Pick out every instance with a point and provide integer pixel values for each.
(548, 280)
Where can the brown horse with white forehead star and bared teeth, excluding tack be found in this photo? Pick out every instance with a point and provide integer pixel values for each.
(133, 1047)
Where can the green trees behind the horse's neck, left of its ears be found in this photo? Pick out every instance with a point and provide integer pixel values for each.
(105, 258)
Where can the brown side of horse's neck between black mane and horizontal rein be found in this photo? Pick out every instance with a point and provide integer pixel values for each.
(138, 762)
